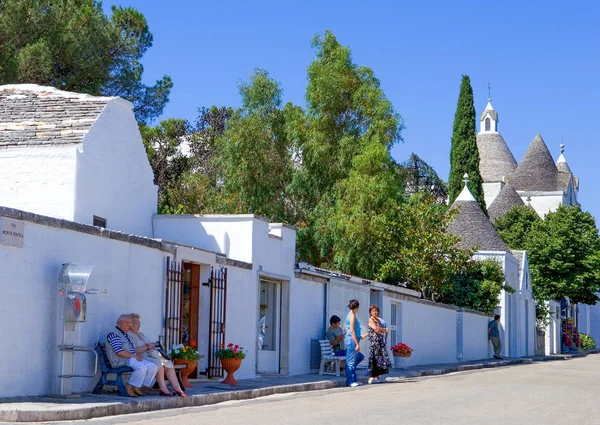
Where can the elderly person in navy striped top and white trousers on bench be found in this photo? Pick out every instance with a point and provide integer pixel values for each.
(121, 352)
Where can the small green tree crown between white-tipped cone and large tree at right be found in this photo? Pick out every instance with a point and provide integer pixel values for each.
(515, 226)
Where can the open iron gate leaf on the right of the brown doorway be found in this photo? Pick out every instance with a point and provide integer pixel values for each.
(218, 296)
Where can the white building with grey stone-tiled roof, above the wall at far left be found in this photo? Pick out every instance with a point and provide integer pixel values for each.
(76, 157)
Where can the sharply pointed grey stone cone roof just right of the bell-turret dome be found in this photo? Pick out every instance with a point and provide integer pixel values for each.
(537, 170)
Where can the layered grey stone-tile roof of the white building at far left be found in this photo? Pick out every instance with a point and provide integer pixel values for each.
(32, 115)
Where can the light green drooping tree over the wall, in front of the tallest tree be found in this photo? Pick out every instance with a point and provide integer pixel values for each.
(353, 228)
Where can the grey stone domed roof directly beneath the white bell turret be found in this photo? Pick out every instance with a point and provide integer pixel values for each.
(496, 161)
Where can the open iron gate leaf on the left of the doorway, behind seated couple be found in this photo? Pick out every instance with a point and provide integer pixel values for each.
(173, 304)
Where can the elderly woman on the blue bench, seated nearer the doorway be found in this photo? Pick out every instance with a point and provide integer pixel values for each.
(150, 353)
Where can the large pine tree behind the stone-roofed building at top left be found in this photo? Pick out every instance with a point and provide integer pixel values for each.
(72, 45)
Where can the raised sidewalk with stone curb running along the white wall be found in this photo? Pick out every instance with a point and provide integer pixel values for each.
(45, 409)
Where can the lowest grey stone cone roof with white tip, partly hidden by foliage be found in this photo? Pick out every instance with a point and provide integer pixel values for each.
(473, 227)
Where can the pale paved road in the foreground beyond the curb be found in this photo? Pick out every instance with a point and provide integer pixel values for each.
(549, 393)
